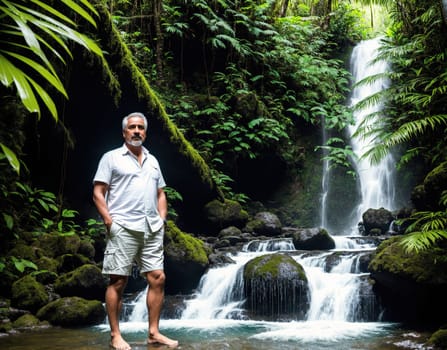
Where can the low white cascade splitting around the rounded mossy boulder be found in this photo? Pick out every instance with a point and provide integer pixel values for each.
(334, 286)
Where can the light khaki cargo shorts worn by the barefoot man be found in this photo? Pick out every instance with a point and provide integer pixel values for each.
(127, 246)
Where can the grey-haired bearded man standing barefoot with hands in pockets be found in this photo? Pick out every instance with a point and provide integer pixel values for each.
(128, 193)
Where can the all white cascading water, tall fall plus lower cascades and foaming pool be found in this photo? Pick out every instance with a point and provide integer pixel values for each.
(342, 308)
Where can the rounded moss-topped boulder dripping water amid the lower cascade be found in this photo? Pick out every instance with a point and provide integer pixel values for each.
(275, 285)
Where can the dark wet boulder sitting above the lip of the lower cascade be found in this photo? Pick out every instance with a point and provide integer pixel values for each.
(312, 239)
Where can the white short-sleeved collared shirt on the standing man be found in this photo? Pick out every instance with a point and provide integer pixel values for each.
(132, 197)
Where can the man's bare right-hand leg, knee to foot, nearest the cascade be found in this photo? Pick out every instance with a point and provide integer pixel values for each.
(155, 297)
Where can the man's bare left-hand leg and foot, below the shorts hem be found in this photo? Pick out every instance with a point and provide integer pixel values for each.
(114, 302)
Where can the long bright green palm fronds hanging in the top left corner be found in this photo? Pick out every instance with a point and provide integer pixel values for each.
(20, 32)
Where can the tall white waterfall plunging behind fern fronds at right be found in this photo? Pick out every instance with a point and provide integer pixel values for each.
(376, 182)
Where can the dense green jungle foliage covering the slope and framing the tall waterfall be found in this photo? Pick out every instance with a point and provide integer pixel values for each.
(210, 61)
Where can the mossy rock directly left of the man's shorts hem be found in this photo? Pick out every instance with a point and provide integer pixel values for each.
(86, 281)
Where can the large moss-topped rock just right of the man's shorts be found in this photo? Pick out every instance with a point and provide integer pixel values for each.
(186, 259)
